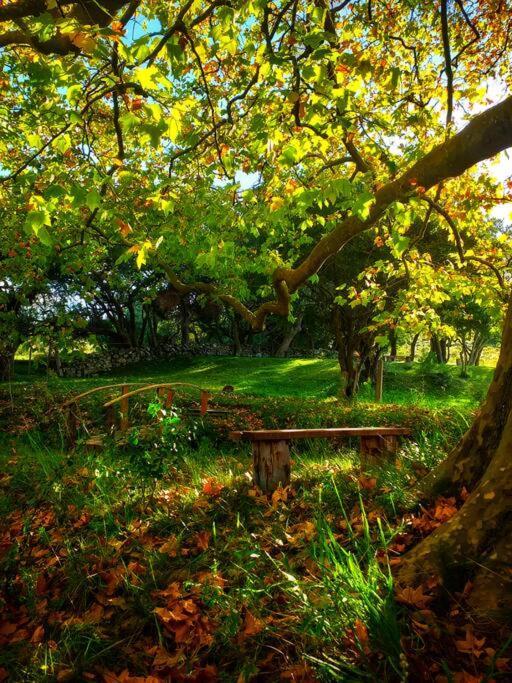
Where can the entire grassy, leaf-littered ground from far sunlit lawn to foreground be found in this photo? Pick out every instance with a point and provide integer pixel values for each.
(156, 559)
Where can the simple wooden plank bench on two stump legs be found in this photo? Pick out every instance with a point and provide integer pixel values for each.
(271, 453)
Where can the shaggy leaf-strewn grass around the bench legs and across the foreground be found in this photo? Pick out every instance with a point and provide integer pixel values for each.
(207, 579)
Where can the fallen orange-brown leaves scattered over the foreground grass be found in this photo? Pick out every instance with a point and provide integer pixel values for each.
(190, 600)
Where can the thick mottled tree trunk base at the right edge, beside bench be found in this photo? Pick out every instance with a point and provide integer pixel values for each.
(476, 541)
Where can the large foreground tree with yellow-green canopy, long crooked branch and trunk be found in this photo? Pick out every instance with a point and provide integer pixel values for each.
(250, 142)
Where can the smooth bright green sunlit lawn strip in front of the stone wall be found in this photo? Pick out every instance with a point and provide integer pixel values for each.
(414, 384)
